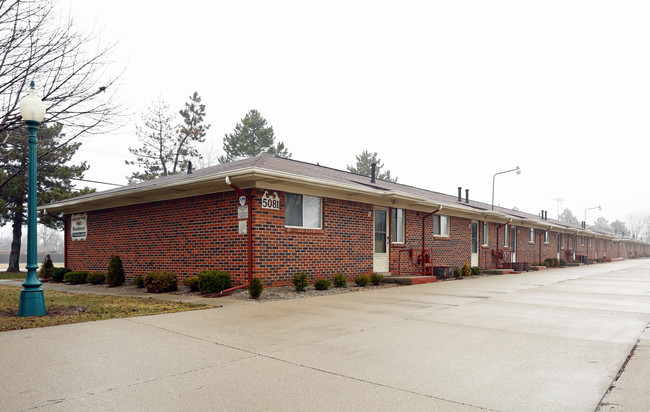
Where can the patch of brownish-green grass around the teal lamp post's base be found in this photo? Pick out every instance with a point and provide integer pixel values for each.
(63, 308)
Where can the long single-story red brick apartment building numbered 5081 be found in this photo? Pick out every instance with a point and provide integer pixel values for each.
(271, 218)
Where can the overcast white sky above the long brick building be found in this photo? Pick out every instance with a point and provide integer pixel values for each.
(446, 92)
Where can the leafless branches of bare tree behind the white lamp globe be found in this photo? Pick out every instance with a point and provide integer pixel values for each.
(69, 68)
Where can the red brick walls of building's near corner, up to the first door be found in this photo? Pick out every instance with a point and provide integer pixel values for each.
(199, 233)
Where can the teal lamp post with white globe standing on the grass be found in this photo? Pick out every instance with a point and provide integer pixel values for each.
(32, 301)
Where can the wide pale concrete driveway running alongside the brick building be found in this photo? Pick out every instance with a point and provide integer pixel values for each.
(537, 341)
